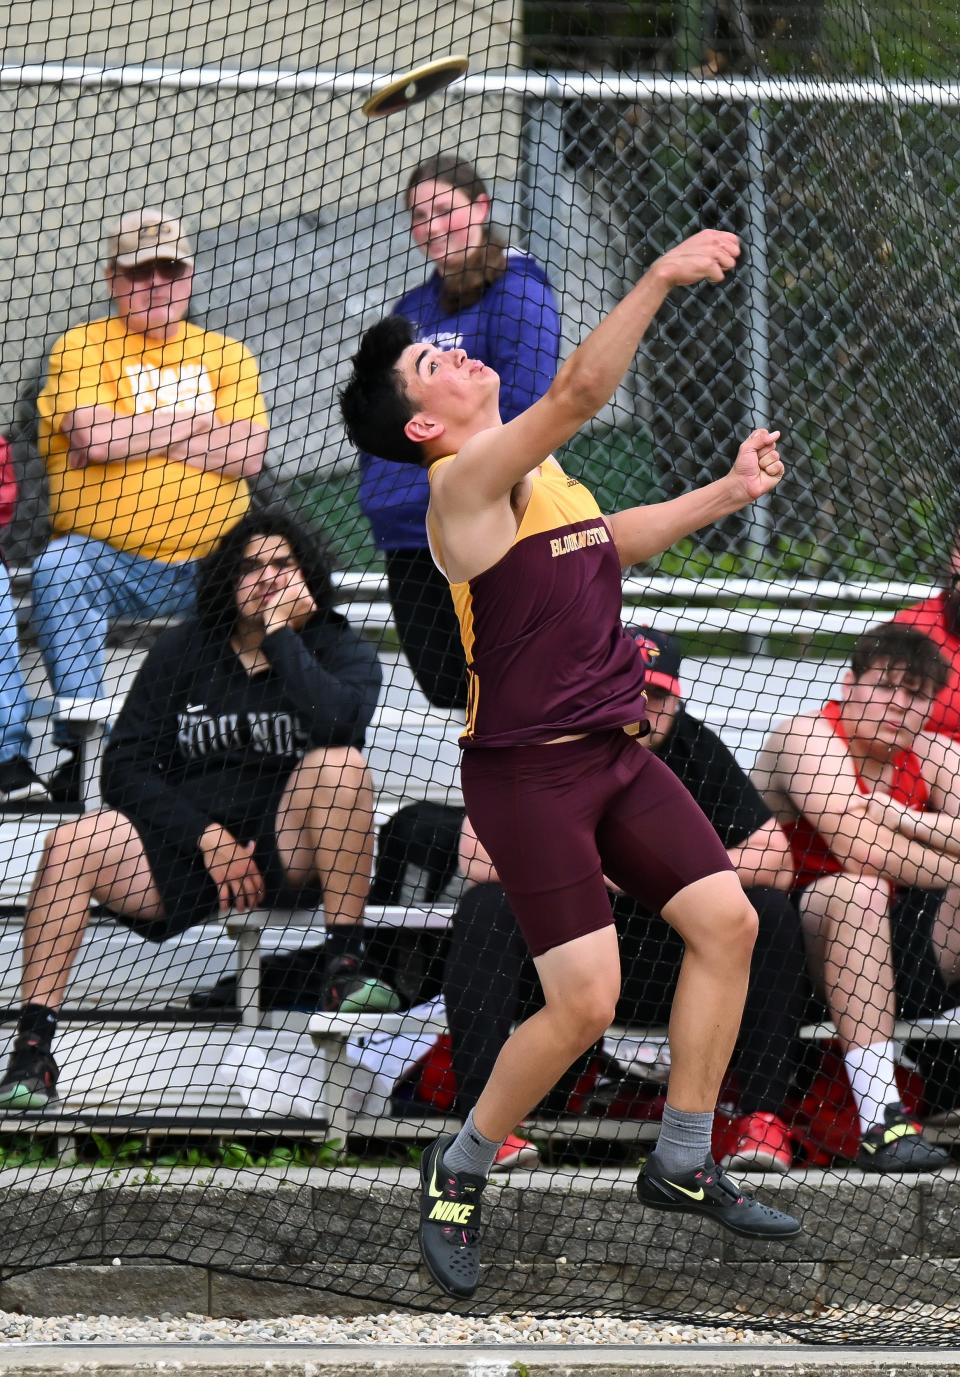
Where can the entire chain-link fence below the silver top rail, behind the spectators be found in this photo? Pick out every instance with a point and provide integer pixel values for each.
(839, 327)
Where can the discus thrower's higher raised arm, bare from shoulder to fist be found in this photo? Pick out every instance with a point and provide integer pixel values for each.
(494, 461)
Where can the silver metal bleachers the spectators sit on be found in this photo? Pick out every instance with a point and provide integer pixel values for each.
(141, 1061)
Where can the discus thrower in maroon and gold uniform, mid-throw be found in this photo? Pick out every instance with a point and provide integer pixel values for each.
(556, 779)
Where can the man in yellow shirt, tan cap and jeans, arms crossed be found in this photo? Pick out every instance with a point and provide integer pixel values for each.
(151, 428)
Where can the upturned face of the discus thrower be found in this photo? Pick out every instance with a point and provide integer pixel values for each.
(448, 390)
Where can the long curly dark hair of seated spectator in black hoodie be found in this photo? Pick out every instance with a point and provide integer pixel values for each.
(220, 572)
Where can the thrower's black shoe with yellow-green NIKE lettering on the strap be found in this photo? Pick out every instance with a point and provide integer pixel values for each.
(450, 1222)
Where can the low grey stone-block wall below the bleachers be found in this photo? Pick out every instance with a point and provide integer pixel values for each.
(878, 1259)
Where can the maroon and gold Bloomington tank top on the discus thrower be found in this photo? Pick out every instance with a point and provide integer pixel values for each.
(541, 630)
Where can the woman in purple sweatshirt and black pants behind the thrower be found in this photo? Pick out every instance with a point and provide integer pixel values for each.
(497, 304)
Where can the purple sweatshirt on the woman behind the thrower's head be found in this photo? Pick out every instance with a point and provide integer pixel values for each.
(516, 330)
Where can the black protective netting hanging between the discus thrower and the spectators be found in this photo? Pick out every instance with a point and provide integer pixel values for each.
(253, 965)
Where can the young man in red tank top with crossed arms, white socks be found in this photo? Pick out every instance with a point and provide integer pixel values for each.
(870, 805)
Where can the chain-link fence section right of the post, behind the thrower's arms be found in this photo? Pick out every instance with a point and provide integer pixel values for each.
(839, 328)
